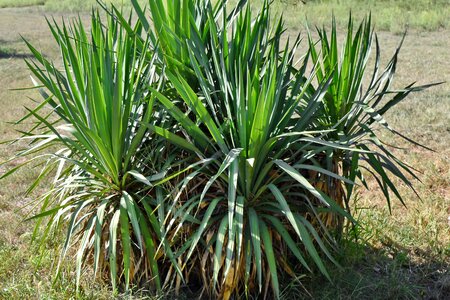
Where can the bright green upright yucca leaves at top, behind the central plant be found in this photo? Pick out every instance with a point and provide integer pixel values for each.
(175, 22)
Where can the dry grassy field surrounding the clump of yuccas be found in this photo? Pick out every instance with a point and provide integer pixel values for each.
(400, 256)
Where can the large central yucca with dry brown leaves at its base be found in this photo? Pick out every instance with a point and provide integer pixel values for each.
(250, 130)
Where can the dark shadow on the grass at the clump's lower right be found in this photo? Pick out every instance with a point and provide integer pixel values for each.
(388, 271)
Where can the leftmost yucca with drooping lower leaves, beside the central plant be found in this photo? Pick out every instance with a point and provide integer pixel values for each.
(91, 133)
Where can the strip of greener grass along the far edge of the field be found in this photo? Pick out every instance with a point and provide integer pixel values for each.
(389, 15)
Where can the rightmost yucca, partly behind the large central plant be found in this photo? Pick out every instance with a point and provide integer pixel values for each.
(353, 107)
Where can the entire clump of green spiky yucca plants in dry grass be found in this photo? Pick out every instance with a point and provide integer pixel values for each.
(195, 147)
